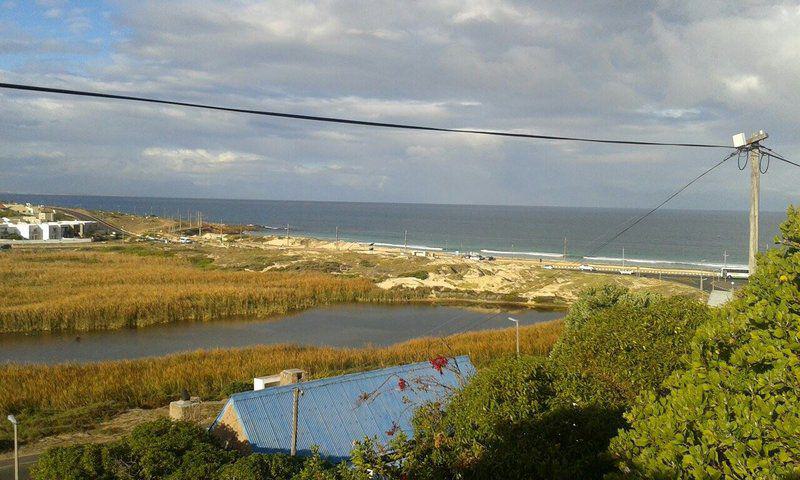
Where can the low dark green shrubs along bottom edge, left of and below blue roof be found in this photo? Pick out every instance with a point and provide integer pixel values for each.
(176, 451)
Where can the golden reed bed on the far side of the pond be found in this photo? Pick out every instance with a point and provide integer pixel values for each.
(84, 290)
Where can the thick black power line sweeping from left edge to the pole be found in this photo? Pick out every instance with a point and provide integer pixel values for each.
(314, 118)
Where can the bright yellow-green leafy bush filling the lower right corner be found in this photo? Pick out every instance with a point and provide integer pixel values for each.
(733, 412)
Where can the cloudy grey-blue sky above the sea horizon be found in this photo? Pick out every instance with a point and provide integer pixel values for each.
(676, 71)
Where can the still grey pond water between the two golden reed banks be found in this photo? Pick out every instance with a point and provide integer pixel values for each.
(335, 326)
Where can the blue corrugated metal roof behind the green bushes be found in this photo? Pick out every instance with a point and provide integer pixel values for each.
(332, 412)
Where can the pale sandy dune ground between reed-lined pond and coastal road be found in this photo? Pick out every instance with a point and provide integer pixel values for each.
(442, 275)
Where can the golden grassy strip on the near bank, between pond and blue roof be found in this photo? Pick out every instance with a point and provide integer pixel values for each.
(58, 398)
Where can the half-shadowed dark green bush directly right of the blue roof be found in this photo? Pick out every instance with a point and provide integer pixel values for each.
(501, 425)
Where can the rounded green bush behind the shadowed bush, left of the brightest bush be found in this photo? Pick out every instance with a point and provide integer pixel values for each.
(617, 343)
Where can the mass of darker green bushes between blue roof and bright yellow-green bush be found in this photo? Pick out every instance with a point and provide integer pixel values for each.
(550, 418)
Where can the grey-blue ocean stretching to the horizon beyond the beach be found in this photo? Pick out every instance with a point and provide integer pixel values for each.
(685, 238)
